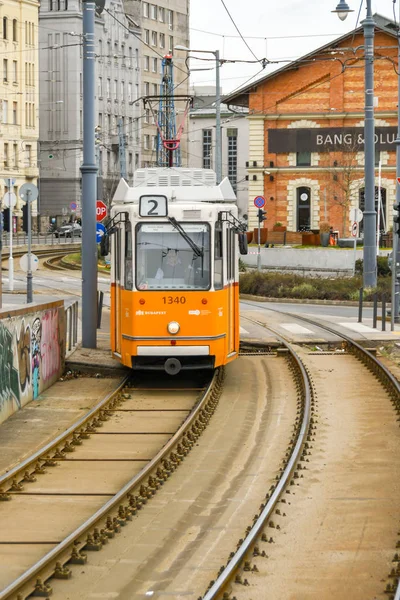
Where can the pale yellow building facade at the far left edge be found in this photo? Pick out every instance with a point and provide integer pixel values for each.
(19, 96)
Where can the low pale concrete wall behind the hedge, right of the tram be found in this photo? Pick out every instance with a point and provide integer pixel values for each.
(317, 260)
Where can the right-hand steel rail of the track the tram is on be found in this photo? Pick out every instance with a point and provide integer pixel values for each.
(70, 541)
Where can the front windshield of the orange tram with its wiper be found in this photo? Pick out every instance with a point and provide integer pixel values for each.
(166, 261)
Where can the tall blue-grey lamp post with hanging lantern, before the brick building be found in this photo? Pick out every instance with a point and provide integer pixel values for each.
(370, 275)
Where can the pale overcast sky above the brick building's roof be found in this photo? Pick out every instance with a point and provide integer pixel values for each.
(273, 23)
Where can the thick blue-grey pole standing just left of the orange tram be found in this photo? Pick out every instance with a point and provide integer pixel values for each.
(89, 180)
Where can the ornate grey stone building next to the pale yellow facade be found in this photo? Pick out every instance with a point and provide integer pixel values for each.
(61, 87)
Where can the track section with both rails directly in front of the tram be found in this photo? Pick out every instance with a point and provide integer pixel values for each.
(75, 494)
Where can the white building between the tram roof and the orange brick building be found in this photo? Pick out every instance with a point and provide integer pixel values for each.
(235, 141)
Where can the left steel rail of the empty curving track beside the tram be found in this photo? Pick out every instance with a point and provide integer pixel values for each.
(233, 565)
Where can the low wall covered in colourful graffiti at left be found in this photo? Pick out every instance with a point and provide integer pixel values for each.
(32, 351)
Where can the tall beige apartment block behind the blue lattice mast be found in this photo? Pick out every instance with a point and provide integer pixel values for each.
(164, 25)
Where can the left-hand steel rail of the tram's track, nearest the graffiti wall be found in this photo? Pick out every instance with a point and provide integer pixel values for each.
(61, 438)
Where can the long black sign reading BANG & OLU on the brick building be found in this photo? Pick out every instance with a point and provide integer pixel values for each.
(344, 139)
